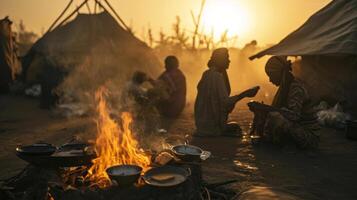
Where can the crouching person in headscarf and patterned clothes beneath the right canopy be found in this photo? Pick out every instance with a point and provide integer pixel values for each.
(297, 121)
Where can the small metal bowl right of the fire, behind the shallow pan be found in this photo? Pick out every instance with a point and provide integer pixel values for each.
(187, 152)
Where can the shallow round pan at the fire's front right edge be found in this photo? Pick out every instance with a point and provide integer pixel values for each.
(166, 176)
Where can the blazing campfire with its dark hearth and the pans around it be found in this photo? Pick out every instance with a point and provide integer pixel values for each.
(79, 171)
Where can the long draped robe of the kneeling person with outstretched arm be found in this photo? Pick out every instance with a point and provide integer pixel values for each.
(212, 104)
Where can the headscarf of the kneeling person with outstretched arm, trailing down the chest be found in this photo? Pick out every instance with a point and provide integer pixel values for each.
(218, 60)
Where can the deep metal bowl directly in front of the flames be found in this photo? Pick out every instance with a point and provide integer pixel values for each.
(124, 175)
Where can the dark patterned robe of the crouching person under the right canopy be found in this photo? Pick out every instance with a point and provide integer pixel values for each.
(298, 123)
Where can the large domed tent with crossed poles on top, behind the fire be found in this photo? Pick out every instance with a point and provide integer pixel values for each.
(94, 42)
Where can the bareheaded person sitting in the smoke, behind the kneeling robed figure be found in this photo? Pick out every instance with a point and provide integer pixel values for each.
(175, 83)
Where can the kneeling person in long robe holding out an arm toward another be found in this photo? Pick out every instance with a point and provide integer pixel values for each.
(213, 103)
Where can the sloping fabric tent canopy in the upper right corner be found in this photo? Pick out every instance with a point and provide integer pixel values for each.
(332, 30)
